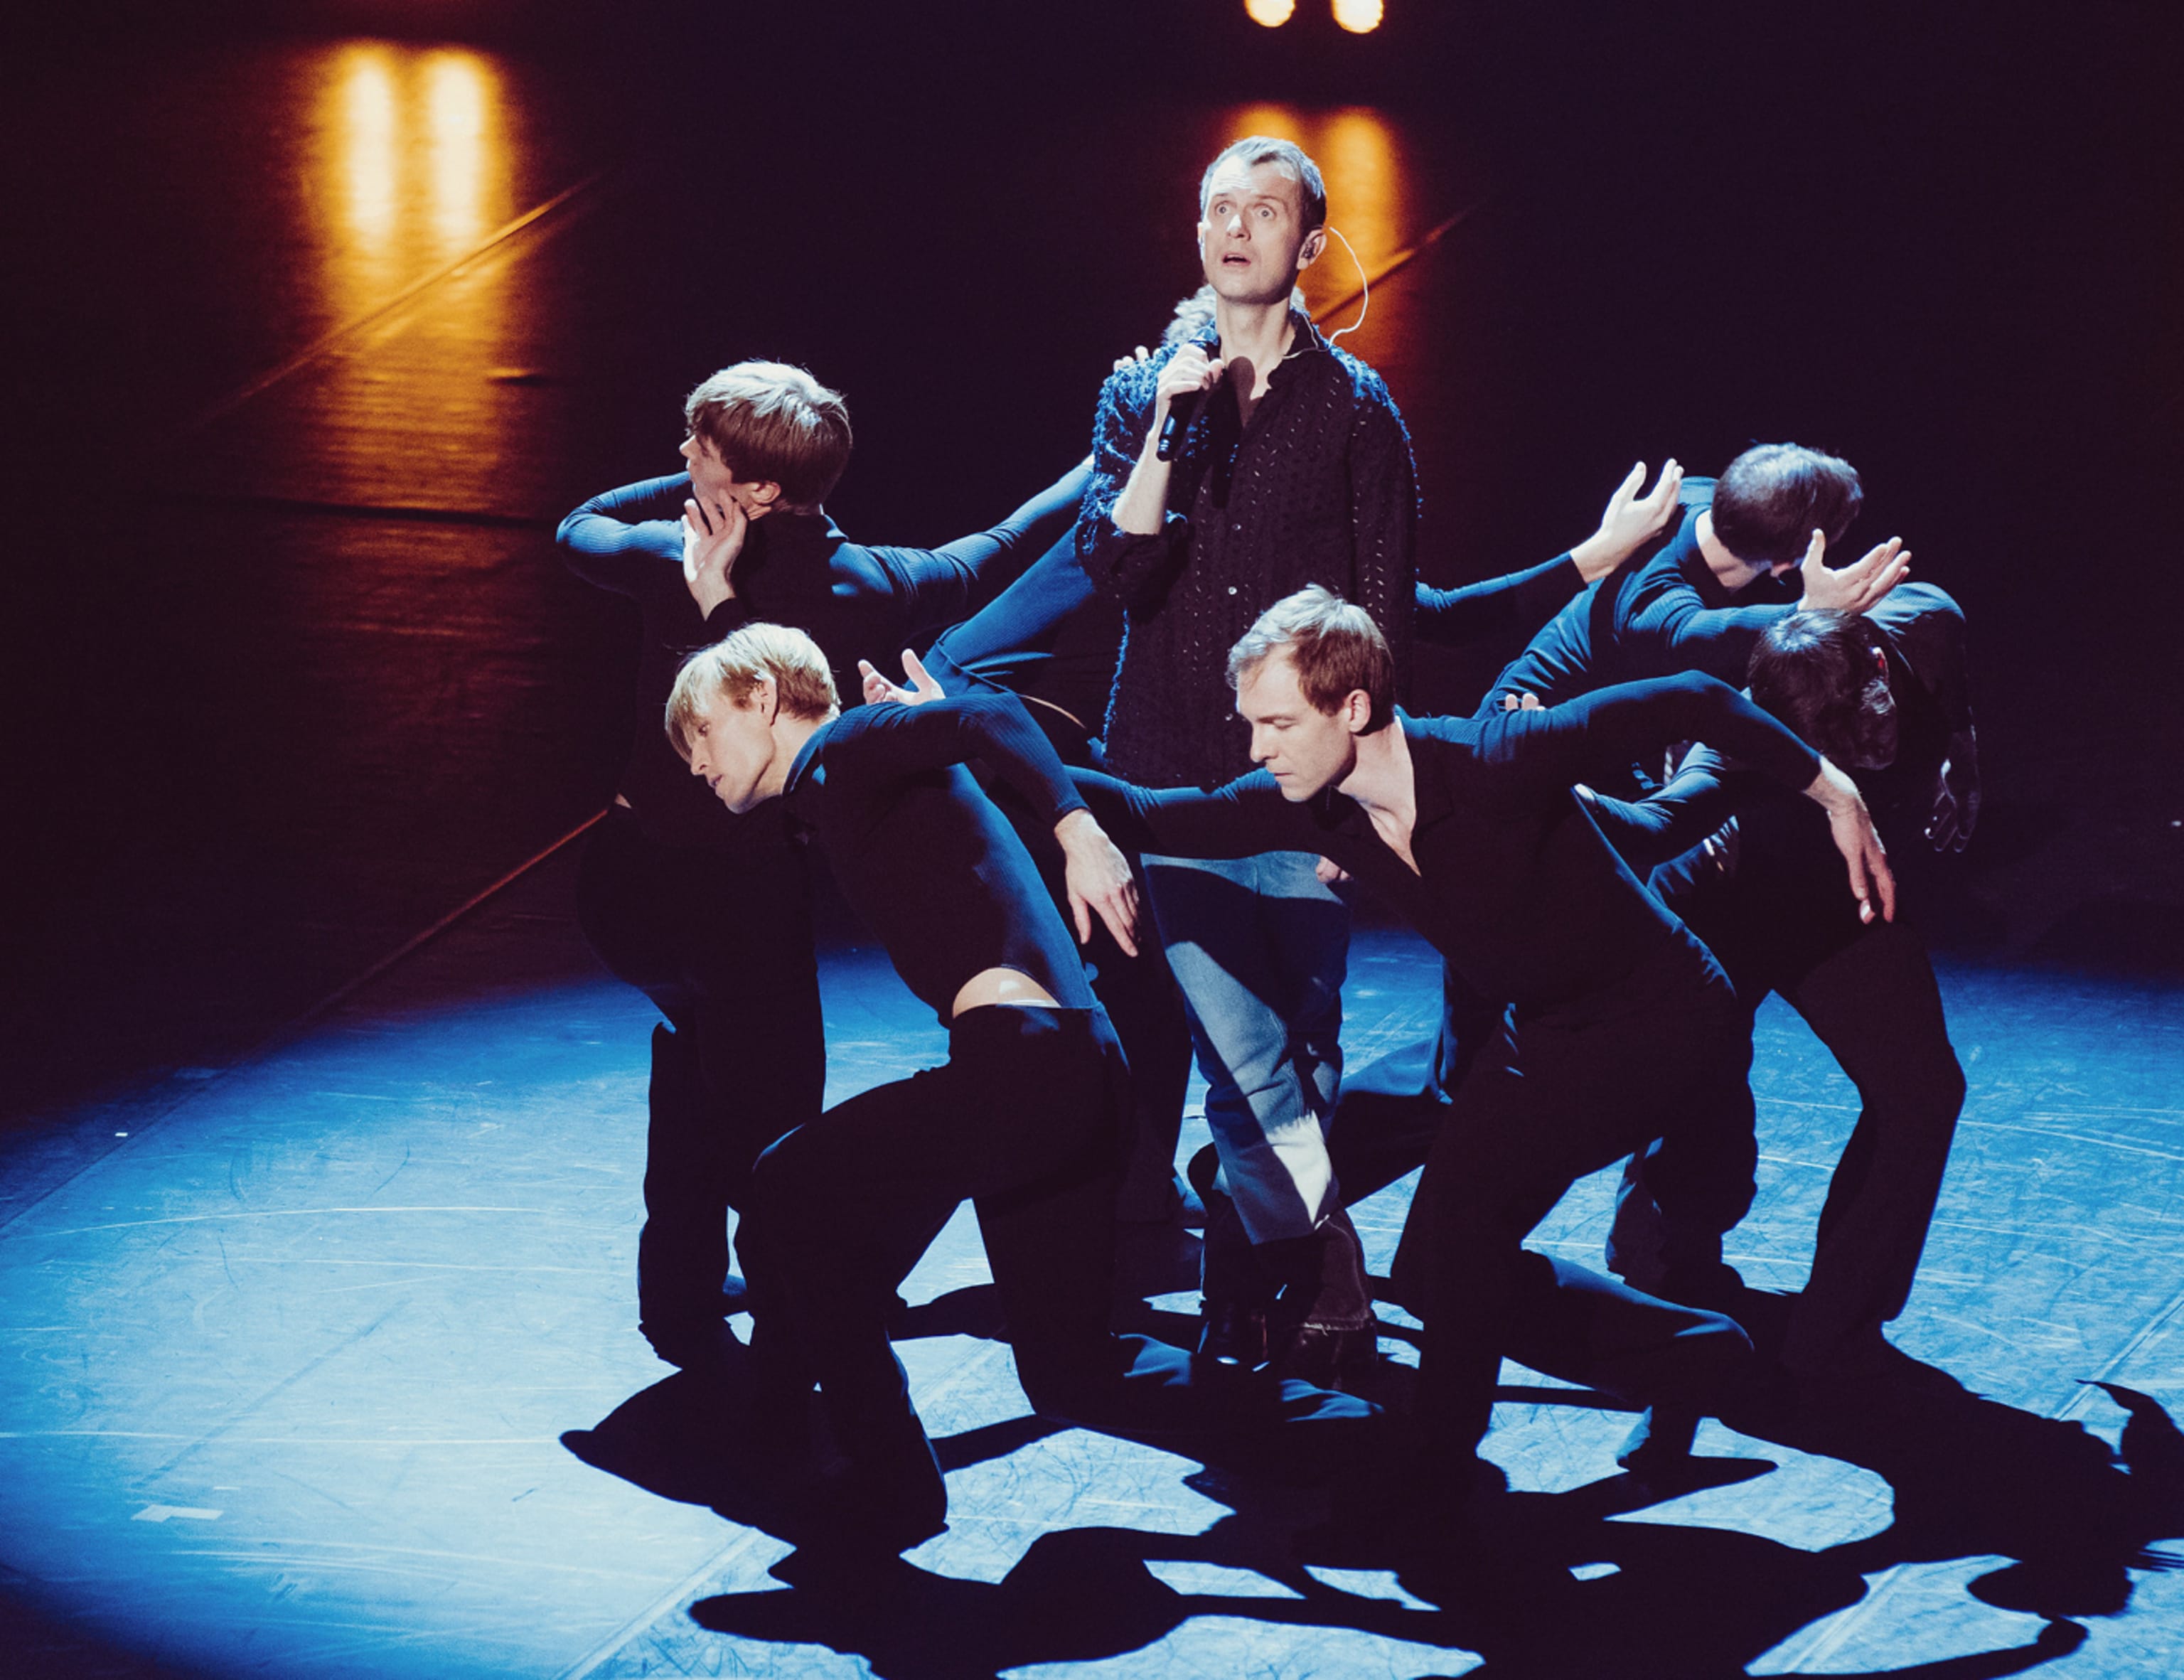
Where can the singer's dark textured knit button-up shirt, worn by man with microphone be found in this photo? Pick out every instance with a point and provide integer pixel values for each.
(1318, 488)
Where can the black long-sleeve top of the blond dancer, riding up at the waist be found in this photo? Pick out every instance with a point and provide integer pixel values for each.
(925, 857)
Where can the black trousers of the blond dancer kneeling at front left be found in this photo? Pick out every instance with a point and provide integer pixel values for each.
(1025, 1117)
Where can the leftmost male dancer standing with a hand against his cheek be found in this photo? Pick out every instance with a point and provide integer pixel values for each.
(676, 895)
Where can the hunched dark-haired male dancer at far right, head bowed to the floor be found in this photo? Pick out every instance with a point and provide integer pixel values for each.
(1886, 696)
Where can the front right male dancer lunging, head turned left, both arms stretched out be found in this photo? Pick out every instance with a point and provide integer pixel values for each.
(1622, 1030)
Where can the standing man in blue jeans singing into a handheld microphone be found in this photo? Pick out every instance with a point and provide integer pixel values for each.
(1285, 466)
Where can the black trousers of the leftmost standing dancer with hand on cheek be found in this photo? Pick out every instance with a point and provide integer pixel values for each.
(720, 940)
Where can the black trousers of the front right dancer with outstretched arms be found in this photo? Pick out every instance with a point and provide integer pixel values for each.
(1552, 1100)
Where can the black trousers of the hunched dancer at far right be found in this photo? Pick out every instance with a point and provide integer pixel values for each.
(1875, 1004)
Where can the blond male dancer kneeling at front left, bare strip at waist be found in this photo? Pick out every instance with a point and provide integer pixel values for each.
(1023, 1117)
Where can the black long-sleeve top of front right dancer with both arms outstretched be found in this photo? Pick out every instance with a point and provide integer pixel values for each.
(1515, 886)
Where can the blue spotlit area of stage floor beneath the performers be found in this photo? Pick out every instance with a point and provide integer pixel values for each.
(333, 1371)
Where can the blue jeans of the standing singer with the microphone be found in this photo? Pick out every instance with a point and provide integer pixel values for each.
(1259, 947)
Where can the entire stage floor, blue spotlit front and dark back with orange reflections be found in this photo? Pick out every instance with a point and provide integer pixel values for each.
(318, 1347)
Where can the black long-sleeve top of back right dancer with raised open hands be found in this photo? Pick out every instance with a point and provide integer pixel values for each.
(1654, 615)
